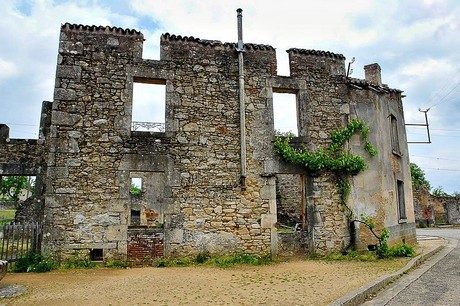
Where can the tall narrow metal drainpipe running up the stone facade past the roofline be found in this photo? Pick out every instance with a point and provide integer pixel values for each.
(240, 49)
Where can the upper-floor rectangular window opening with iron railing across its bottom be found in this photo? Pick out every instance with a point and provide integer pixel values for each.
(149, 102)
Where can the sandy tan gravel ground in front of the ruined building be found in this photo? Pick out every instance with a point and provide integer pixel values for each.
(297, 282)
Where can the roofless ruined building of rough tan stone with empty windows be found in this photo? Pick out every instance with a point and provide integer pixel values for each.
(207, 182)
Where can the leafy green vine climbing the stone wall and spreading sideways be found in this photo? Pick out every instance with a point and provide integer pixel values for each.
(334, 158)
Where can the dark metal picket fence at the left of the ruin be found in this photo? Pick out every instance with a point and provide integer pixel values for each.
(19, 239)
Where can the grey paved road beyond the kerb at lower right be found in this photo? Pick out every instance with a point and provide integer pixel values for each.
(433, 283)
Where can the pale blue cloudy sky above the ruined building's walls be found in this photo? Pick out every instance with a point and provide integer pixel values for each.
(414, 41)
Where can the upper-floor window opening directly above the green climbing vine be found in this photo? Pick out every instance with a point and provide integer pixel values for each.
(285, 112)
